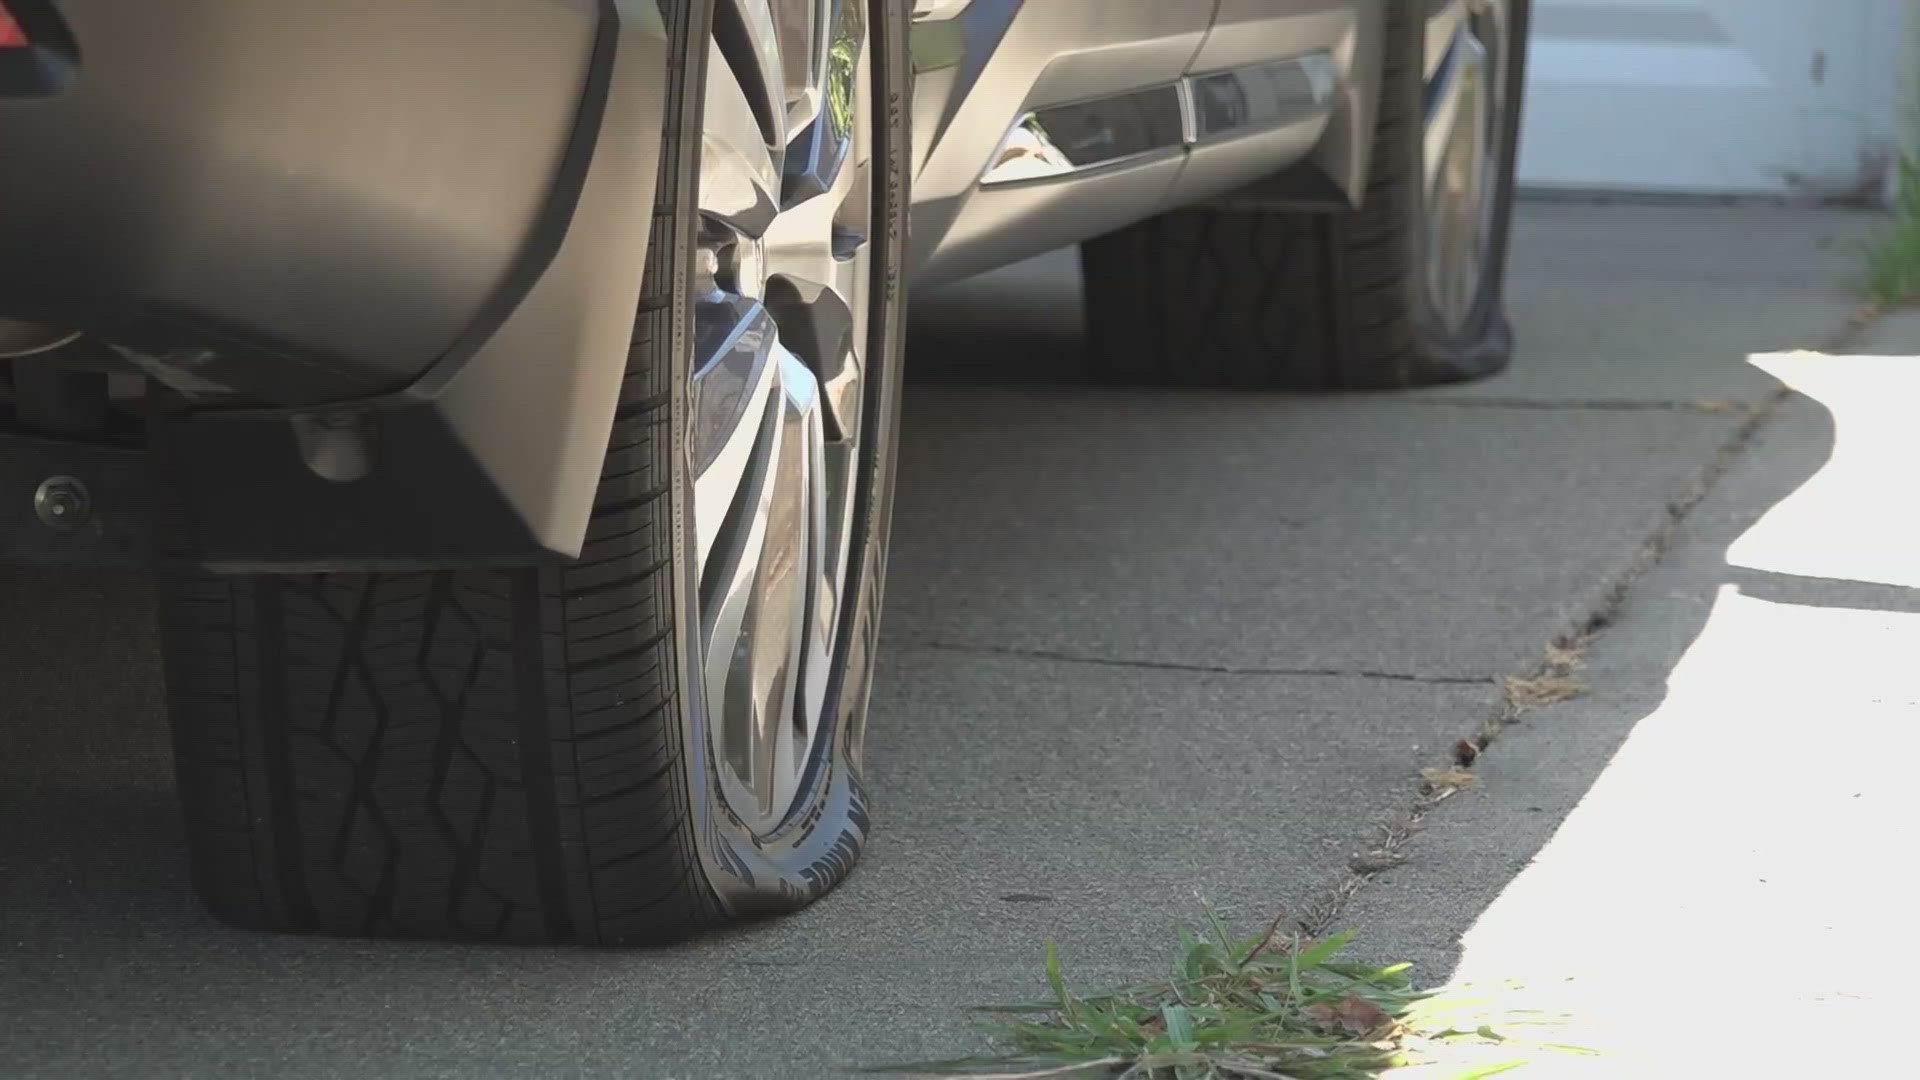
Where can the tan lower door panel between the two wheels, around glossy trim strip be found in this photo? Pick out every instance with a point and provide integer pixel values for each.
(986, 64)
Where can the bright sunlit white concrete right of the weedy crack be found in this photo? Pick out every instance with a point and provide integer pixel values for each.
(1735, 893)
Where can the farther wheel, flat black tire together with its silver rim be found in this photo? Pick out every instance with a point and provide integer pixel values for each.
(1404, 291)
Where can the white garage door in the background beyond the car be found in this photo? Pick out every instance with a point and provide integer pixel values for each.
(1712, 97)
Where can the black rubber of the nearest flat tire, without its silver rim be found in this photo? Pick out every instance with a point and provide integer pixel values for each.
(521, 754)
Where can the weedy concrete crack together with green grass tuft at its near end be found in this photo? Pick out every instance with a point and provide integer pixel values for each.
(1282, 1006)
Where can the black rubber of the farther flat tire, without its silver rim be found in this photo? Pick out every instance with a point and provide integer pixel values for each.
(1245, 295)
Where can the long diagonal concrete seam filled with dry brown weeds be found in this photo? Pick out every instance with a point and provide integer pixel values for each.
(1558, 660)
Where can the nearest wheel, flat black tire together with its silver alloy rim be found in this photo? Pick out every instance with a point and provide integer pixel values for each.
(544, 754)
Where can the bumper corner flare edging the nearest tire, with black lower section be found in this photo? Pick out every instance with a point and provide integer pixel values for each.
(494, 454)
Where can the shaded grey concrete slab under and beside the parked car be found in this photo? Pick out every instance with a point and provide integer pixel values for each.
(1140, 647)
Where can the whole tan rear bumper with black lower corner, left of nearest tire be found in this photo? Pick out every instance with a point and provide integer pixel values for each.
(421, 224)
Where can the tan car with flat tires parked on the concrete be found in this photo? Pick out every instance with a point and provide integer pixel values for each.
(504, 395)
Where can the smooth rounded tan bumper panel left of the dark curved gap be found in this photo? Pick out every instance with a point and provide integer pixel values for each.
(208, 139)
